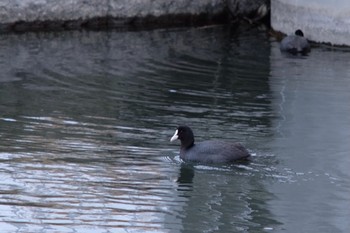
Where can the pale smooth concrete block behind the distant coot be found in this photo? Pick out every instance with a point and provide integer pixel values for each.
(321, 20)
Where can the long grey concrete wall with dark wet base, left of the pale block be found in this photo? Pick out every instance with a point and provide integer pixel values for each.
(21, 15)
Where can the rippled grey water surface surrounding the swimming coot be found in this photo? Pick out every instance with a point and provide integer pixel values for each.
(86, 119)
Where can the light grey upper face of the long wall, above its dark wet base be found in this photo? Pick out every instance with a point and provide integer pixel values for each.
(41, 10)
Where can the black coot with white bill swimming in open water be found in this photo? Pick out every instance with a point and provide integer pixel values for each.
(213, 151)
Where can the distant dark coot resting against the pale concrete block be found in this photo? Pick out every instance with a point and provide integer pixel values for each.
(295, 43)
